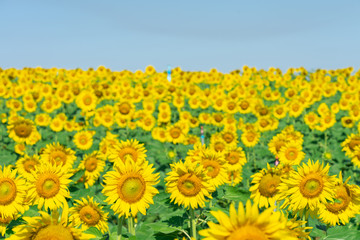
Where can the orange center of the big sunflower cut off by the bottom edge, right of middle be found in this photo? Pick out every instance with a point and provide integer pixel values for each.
(248, 232)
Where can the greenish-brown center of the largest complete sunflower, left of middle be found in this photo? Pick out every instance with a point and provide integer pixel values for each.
(131, 188)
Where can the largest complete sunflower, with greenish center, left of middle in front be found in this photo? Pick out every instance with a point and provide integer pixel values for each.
(130, 188)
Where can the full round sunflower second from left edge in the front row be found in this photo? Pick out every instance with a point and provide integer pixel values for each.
(48, 186)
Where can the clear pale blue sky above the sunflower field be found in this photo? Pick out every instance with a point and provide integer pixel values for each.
(195, 35)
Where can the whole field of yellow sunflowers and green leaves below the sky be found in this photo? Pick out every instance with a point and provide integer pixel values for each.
(250, 154)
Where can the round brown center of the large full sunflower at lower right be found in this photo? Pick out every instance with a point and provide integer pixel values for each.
(311, 186)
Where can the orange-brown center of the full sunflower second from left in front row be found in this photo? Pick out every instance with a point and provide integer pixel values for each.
(48, 185)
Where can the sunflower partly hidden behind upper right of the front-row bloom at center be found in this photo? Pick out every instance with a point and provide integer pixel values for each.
(215, 166)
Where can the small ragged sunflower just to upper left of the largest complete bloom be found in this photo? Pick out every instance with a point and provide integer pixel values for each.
(93, 166)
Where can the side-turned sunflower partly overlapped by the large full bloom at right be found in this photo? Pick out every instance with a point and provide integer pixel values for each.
(264, 188)
